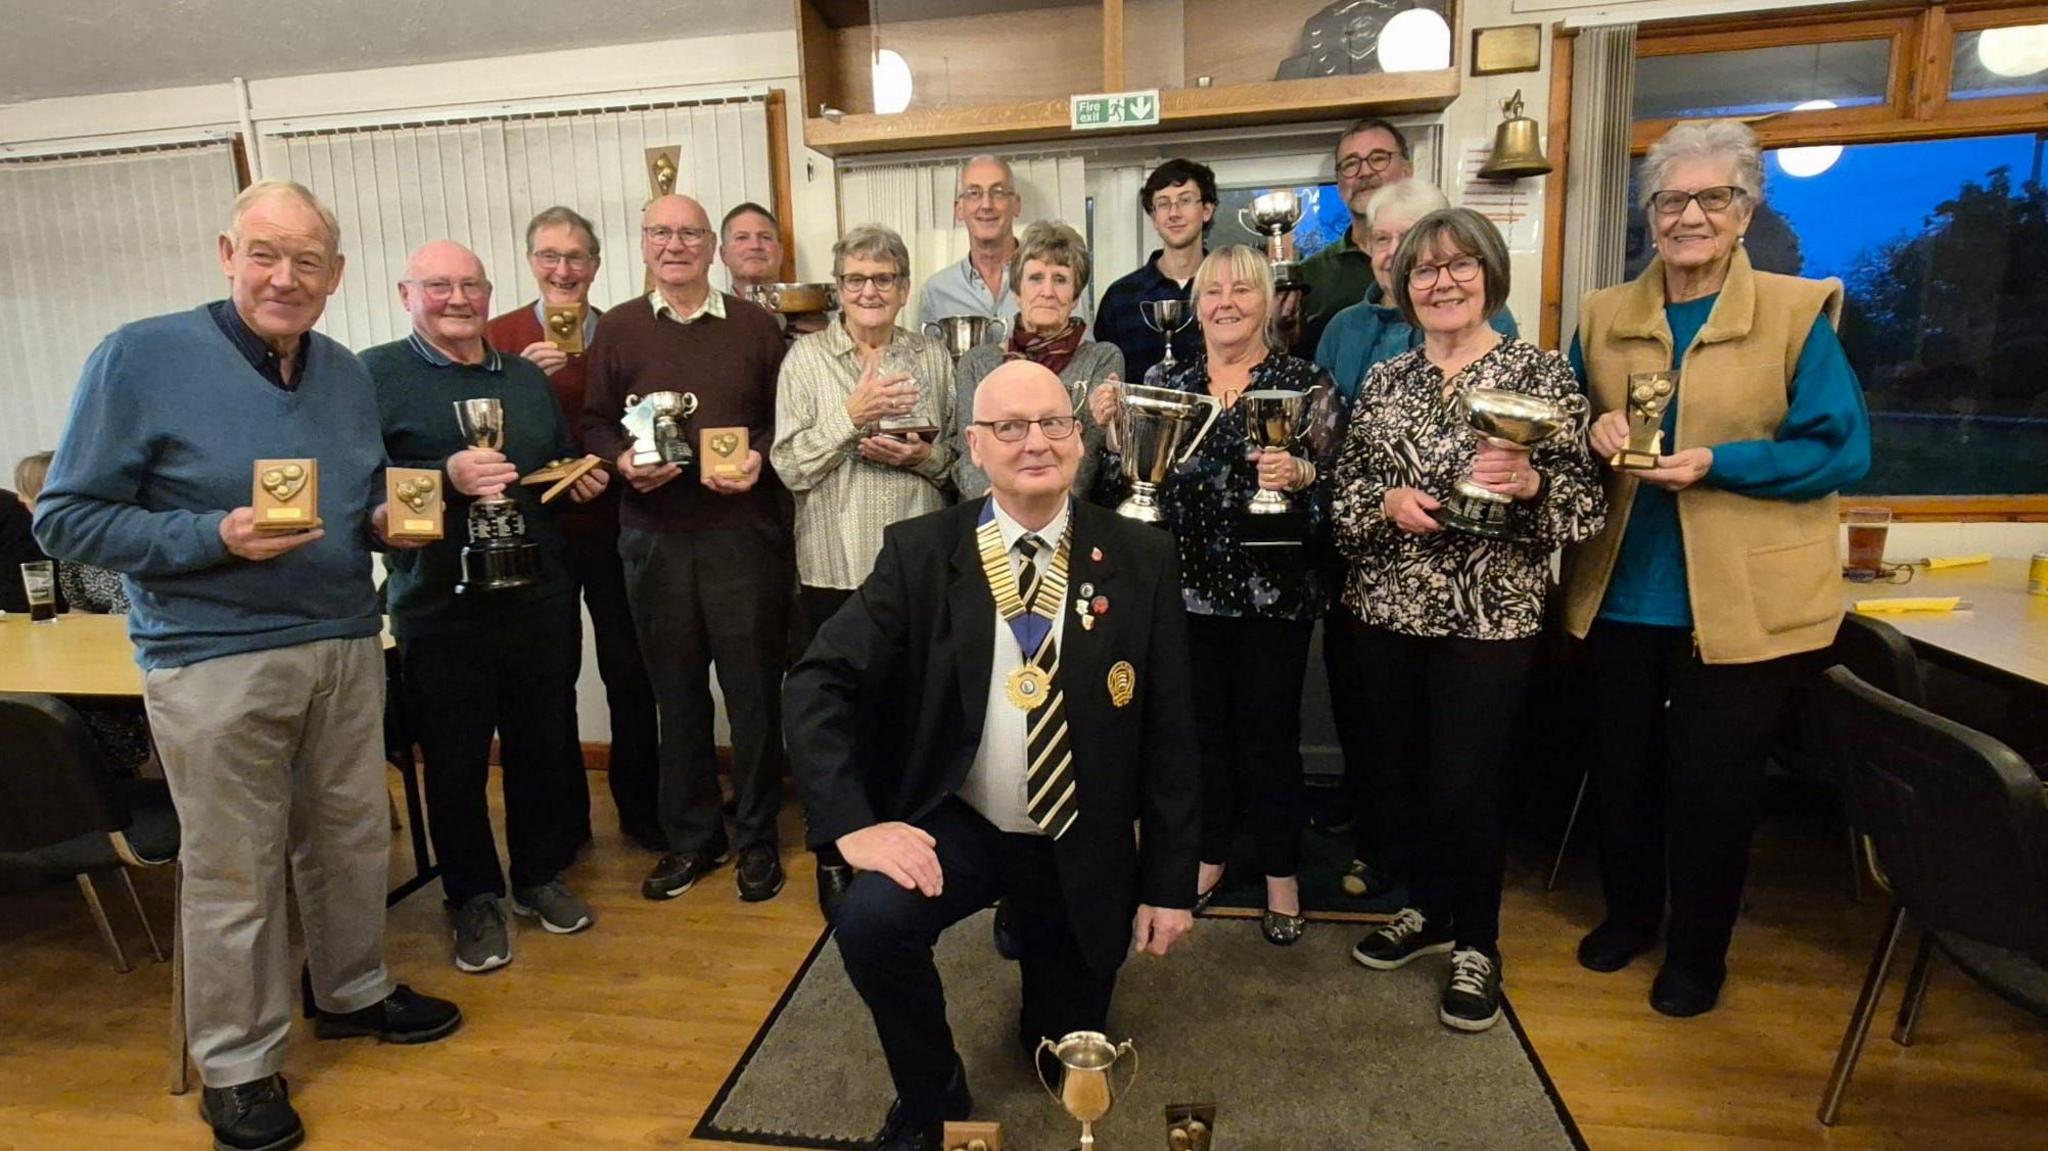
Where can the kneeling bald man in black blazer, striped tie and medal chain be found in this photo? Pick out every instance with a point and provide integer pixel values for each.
(986, 720)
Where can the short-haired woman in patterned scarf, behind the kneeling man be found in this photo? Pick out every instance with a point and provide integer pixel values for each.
(1050, 273)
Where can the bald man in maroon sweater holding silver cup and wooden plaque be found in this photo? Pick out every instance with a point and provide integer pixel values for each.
(706, 558)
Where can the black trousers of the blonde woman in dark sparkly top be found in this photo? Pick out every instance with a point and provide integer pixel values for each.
(1248, 675)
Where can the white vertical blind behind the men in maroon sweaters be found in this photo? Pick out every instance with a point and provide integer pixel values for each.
(480, 181)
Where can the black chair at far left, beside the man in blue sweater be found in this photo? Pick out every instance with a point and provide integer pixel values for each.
(65, 814)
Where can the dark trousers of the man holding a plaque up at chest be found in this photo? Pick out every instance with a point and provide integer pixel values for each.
(634, 771)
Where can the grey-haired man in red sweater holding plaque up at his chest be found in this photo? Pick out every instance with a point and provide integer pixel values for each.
(562, 249)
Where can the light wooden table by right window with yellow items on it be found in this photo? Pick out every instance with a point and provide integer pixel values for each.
(2006, 632)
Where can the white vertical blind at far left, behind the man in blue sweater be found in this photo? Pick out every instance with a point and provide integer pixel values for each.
(89, 245)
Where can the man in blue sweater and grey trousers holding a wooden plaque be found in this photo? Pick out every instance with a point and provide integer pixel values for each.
(261, 660)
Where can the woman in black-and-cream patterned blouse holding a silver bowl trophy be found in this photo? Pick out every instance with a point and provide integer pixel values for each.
(1453, 617)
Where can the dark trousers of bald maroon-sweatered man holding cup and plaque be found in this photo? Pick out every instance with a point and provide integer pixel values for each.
(699, 599)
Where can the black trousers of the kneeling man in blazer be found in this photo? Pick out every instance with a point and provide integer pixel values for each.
(888, 935)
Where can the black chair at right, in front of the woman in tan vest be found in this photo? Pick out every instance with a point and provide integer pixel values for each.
(1955, 826)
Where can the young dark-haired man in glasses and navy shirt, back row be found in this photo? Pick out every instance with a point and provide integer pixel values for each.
(1181, 200)
